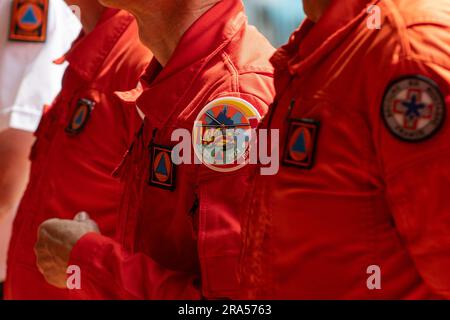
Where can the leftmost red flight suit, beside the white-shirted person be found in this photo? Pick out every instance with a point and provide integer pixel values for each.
(81, 138)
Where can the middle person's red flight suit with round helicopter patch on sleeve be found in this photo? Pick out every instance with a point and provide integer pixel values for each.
(181, 239)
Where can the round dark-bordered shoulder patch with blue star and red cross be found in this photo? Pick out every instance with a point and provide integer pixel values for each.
(413, 108)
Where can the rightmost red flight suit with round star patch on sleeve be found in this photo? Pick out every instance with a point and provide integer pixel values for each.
(365, 149)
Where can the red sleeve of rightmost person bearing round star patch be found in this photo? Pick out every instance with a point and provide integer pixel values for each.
(414, 156)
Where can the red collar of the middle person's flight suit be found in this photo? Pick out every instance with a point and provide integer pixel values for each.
(164, 88)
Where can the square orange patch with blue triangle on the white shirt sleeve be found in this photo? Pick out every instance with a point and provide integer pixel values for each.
(29, 20)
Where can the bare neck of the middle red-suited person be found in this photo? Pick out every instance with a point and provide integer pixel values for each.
(162, 23)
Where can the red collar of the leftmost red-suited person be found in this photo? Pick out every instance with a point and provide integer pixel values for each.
(89, 51)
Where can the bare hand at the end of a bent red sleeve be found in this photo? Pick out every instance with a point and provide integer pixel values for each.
(56, 238)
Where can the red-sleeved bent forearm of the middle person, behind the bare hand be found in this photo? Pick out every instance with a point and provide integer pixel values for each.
(108, 272)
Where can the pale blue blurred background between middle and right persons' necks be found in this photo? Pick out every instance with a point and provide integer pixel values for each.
(276, 19)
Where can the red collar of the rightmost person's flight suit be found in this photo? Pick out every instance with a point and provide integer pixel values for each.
(313, 40)
